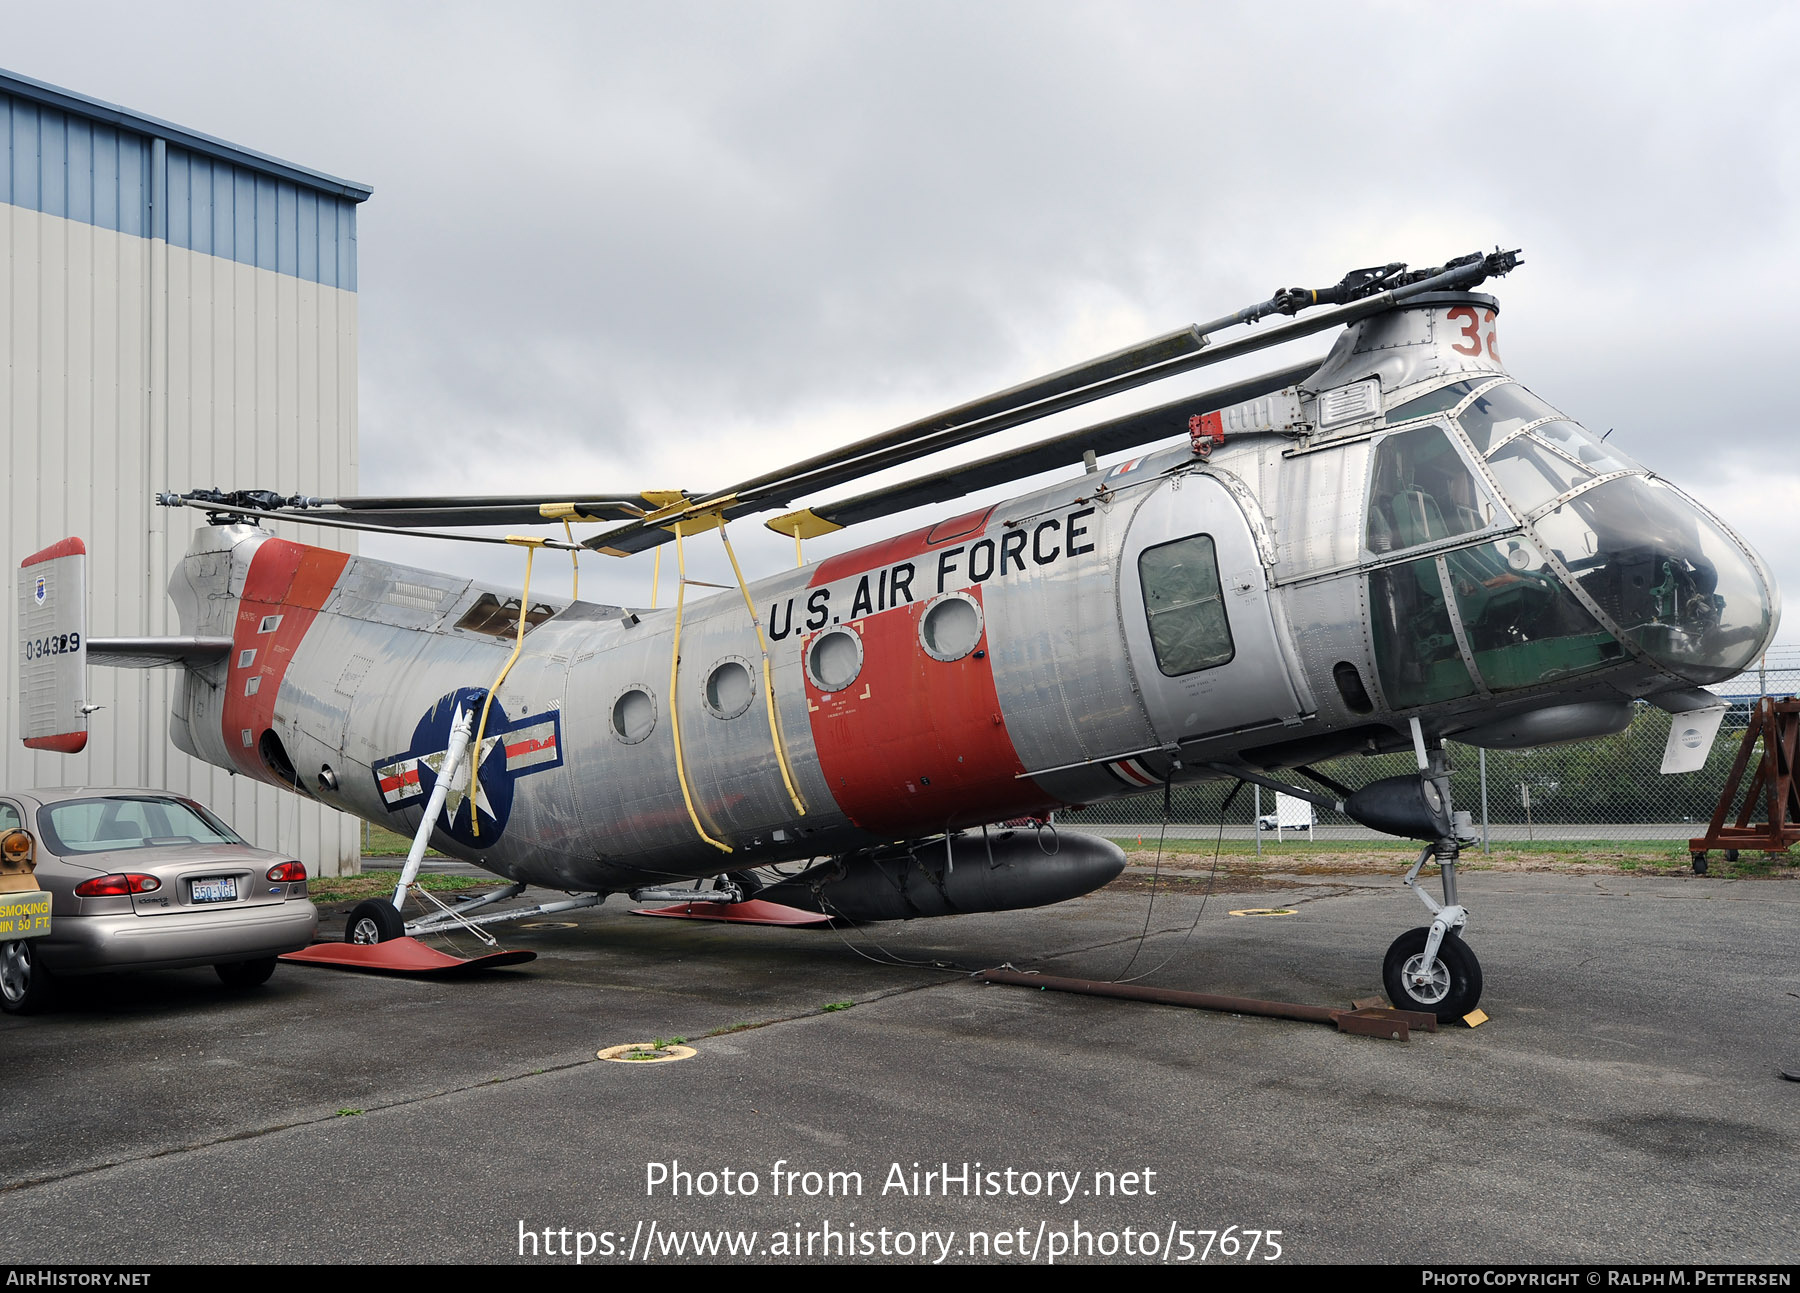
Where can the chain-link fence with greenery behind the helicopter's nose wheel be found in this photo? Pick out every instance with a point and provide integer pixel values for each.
(1606, 790)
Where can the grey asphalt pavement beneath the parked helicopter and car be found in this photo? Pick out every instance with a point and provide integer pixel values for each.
(1621, 1105)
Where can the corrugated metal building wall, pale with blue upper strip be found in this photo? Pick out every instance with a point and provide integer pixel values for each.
(168, 320)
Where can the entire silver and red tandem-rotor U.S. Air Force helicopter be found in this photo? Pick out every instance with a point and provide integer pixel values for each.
(1369, 552)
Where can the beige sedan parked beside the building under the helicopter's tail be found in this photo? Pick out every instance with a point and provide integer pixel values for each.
(148, 880)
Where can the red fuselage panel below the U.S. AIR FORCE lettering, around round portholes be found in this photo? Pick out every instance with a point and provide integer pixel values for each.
(915, 745)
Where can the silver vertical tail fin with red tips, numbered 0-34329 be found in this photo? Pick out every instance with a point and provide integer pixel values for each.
(53, 664)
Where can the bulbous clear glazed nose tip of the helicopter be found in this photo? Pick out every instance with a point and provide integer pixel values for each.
(1669, 575)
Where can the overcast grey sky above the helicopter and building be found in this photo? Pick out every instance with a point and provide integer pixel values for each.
(645, 246)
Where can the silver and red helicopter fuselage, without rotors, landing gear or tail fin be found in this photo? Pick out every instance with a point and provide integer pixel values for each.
(1410, 534)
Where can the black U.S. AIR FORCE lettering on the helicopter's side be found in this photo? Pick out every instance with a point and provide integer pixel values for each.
(1045, 543)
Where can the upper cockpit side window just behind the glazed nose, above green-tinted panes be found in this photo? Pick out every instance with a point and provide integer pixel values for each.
(1421, 493)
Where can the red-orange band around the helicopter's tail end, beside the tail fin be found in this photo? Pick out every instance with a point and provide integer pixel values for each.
(282, 597)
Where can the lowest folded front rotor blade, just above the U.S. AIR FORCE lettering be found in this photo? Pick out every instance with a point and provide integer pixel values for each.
(1144, 428)
